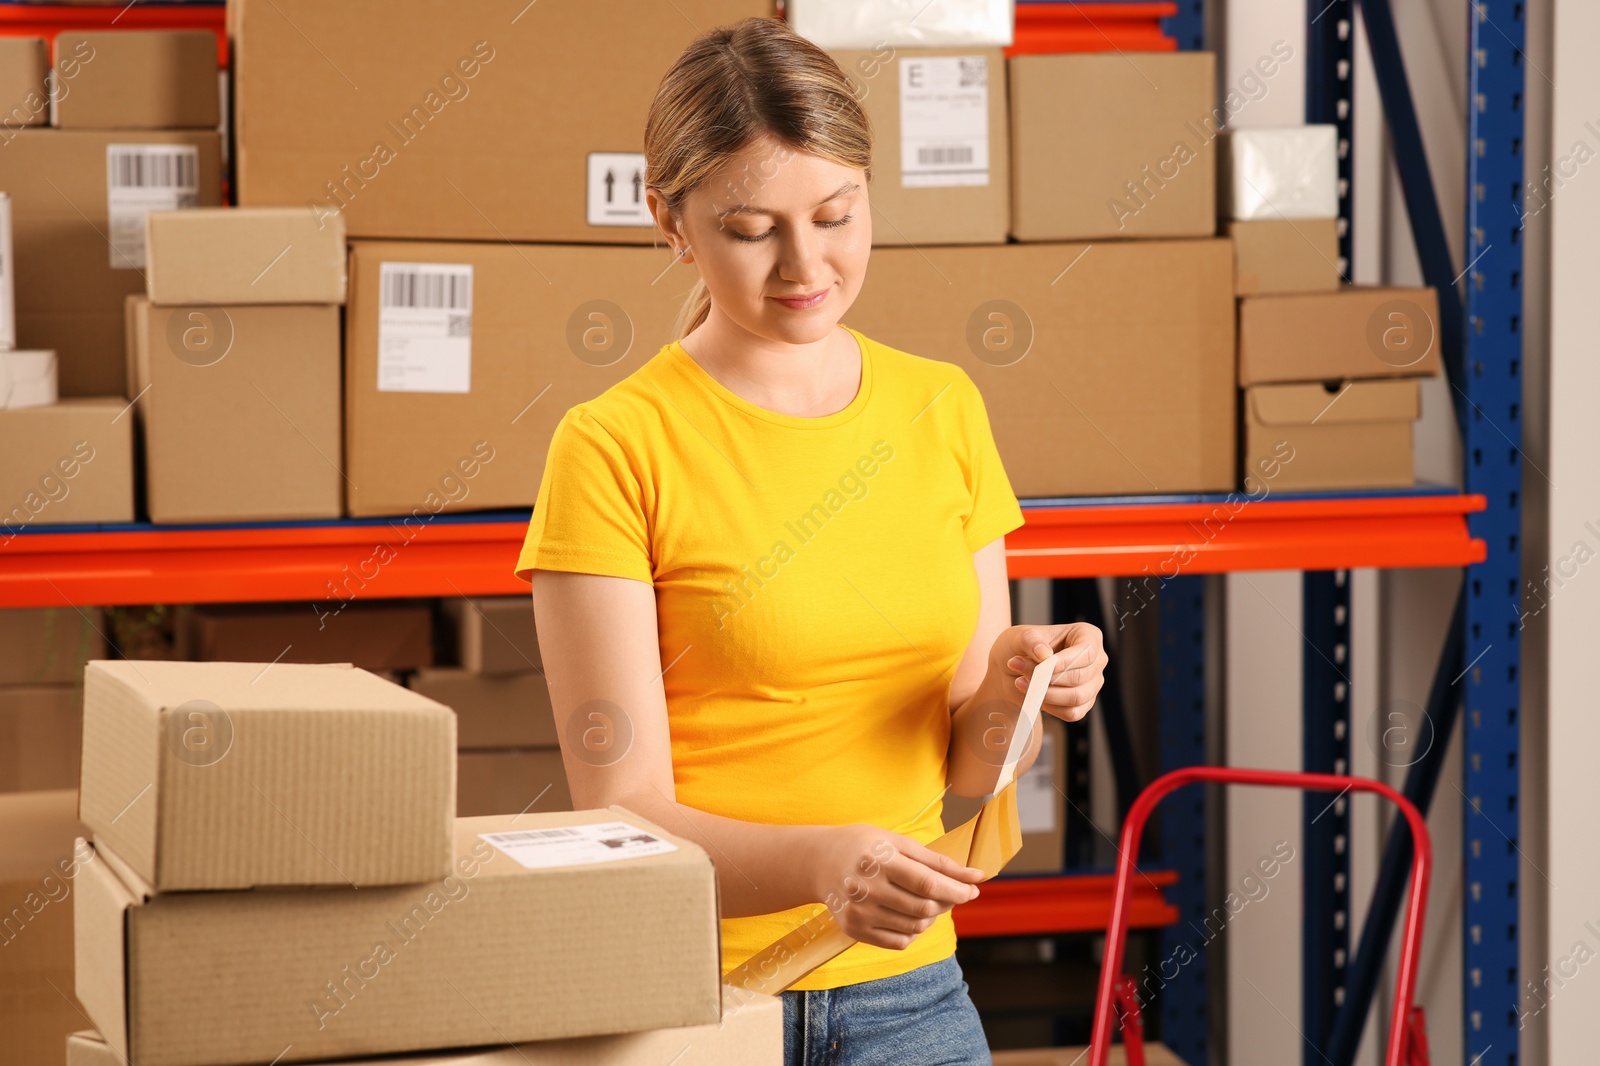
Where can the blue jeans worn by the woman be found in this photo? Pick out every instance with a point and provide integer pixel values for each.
(918, 1019)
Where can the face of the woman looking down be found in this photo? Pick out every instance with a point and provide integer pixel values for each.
(782, 241)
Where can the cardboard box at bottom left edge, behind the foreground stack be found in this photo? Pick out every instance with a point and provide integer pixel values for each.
(38, 875)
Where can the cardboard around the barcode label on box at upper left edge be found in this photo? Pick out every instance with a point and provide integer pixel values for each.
(68, 295)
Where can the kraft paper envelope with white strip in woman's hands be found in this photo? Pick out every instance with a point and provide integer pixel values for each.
(986, 841)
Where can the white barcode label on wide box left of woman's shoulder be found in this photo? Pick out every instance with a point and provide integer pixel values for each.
(425, 327)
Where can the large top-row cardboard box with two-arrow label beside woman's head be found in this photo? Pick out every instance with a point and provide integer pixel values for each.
(446, 108)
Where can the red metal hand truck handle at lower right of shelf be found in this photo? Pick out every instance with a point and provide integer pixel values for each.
(1118, 1003)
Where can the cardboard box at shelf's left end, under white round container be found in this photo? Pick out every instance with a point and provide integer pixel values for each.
(65, 465)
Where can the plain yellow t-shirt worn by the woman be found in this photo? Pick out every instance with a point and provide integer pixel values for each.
(815, 593)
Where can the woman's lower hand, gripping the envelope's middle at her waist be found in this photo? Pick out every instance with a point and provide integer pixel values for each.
(886, 889)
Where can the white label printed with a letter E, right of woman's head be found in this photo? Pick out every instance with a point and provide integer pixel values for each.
(945, 122)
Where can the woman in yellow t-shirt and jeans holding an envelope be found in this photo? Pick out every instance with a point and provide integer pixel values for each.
(769, 572)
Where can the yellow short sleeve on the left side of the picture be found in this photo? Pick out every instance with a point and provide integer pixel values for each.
(590, 516)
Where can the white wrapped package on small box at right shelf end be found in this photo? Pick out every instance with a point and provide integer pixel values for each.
(1279, 172)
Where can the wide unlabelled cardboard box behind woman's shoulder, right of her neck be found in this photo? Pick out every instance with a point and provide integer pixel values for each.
(1074, 358)
